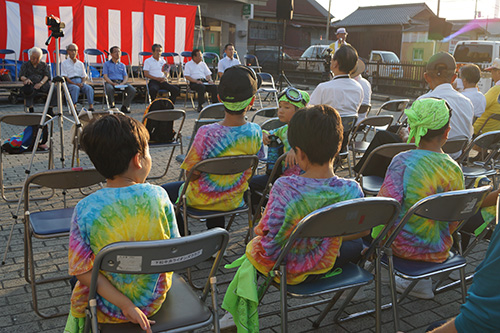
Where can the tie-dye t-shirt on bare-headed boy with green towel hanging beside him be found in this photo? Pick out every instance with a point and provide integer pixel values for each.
(291, 199)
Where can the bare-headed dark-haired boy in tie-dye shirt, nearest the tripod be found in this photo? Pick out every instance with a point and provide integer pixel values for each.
(126, 210)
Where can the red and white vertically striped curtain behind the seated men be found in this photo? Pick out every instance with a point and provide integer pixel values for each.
(134, 25)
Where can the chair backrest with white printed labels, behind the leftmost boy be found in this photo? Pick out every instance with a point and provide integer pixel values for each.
(159, 256)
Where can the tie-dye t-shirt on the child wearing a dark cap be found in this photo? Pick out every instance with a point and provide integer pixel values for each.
(221, 192)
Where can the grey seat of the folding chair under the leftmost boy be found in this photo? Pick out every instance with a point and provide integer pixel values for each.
(181, 307)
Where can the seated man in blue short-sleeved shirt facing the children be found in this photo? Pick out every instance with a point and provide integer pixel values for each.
(115, 74)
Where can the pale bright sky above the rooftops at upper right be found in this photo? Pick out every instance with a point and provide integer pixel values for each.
(449, 9)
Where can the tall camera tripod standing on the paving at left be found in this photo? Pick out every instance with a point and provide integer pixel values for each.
(57, 84)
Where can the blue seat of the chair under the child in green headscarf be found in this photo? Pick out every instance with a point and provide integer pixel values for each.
(416, 269)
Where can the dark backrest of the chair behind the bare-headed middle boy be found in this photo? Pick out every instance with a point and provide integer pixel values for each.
(343, 219)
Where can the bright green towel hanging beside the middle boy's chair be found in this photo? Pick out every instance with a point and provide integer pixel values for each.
(241, 298)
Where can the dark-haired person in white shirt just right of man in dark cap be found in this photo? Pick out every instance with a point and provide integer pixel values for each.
(470, 75)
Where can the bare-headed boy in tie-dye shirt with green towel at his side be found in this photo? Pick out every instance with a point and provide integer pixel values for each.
(294, 197)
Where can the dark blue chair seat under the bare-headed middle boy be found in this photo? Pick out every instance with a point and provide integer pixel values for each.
(351, 276)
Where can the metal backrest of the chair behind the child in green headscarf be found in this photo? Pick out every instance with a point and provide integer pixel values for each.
(449, 206)
